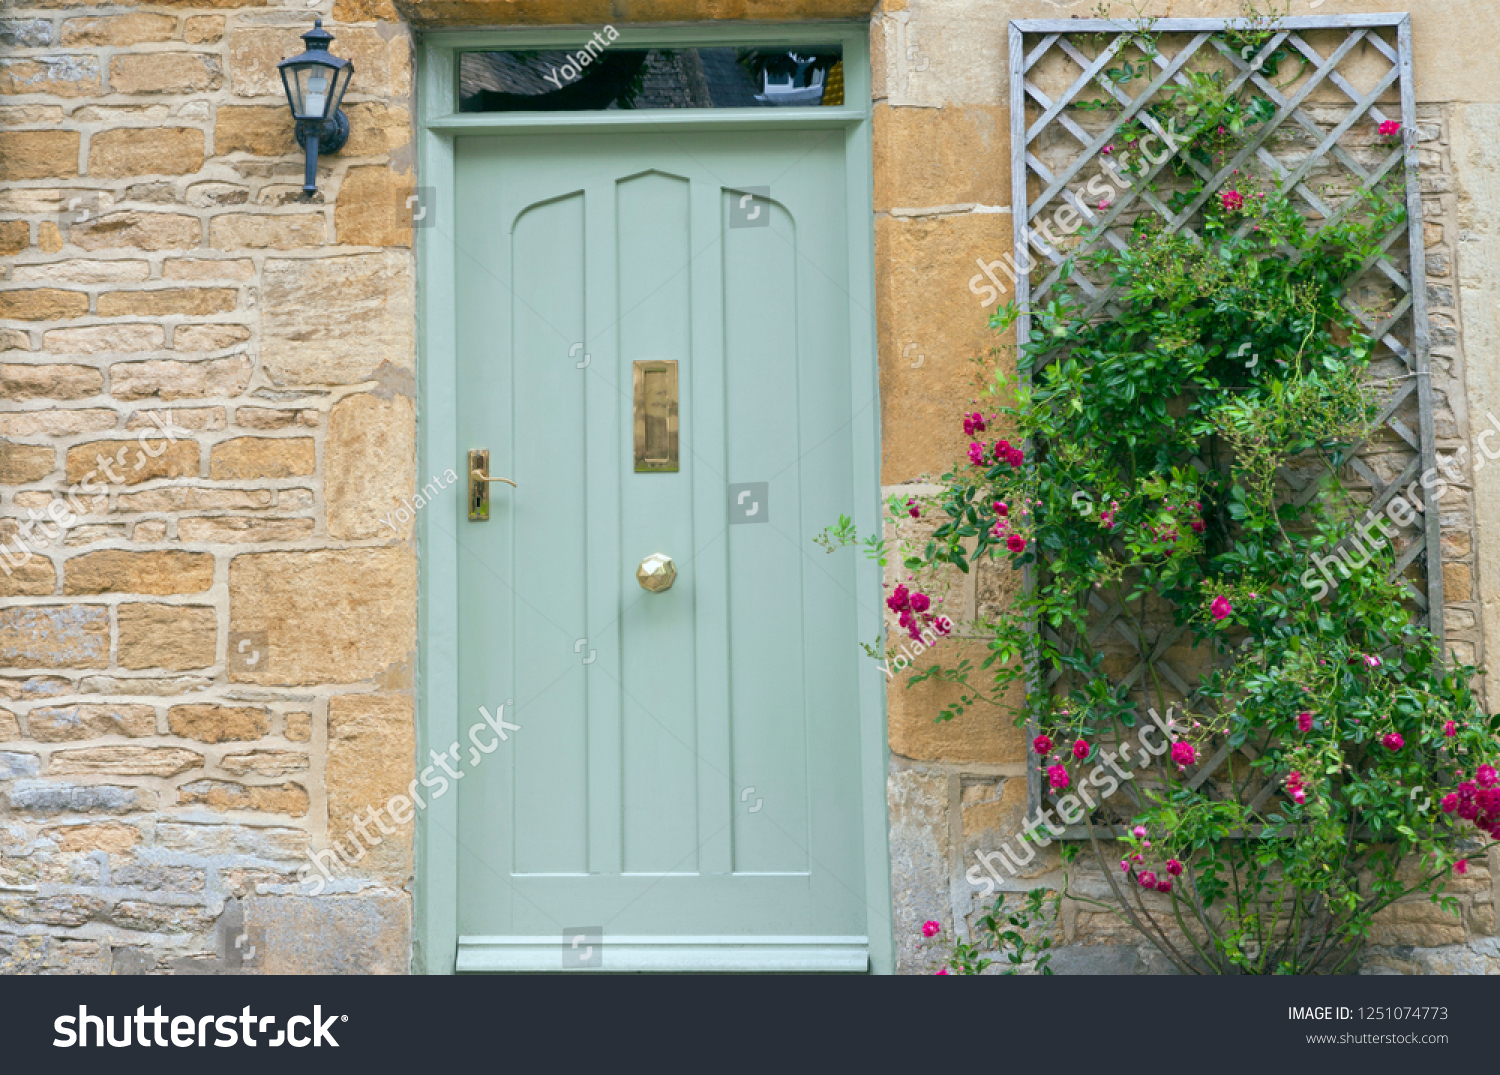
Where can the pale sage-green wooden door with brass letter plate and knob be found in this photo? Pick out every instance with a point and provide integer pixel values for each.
(686, 776)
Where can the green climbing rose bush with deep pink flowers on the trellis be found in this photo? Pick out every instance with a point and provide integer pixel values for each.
(1141, 466)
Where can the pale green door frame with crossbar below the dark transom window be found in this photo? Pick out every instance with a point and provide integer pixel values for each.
(439, 125)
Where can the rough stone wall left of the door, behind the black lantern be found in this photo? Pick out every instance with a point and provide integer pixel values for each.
(209, 668)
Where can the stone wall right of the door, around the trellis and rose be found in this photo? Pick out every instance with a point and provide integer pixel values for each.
(944, 202)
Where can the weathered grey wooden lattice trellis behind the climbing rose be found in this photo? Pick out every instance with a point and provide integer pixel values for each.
(1355, 74)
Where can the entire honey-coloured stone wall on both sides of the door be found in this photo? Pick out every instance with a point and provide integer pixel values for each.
(208, 672)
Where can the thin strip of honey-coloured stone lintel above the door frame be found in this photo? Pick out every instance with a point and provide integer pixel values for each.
(433, 14)
